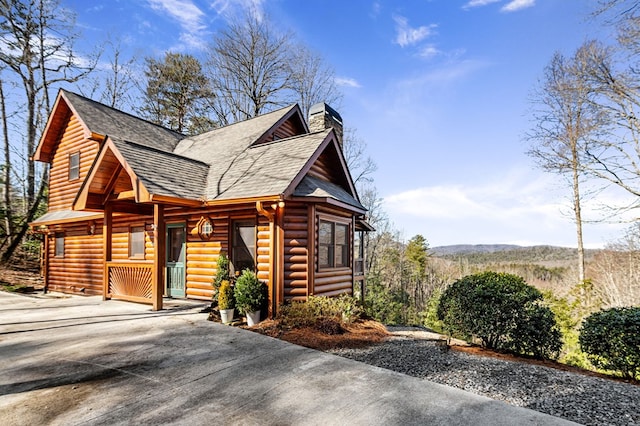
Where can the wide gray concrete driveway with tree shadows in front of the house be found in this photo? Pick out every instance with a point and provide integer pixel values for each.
(79, 360)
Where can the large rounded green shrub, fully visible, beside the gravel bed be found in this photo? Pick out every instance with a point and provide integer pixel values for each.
(503, 312)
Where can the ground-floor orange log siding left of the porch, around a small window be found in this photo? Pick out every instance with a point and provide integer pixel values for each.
(80, 270)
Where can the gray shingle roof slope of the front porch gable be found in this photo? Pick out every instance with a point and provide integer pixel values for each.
(164, 173)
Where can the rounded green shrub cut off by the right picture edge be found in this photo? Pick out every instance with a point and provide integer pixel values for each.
(611, 339)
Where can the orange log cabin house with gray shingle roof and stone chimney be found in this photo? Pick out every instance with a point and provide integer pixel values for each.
(139, 212)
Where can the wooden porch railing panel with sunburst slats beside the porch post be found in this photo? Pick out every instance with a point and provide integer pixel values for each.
(131, 281)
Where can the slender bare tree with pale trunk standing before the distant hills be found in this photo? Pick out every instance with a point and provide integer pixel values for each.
(565, 117)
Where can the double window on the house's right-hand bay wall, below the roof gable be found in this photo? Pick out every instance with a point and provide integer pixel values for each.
(333, 244)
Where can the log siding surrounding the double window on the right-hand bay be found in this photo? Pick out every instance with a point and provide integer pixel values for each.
(332, 282)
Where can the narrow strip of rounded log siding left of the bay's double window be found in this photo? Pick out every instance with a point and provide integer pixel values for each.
(296, 253)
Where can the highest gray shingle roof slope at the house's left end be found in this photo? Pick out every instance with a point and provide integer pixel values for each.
(108, 121)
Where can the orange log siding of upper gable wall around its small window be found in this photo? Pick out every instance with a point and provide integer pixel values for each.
(62, 191)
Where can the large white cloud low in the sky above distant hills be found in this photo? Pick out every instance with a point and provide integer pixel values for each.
(521, 207)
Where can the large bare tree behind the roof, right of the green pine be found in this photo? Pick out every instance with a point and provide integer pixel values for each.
(249, 70)
